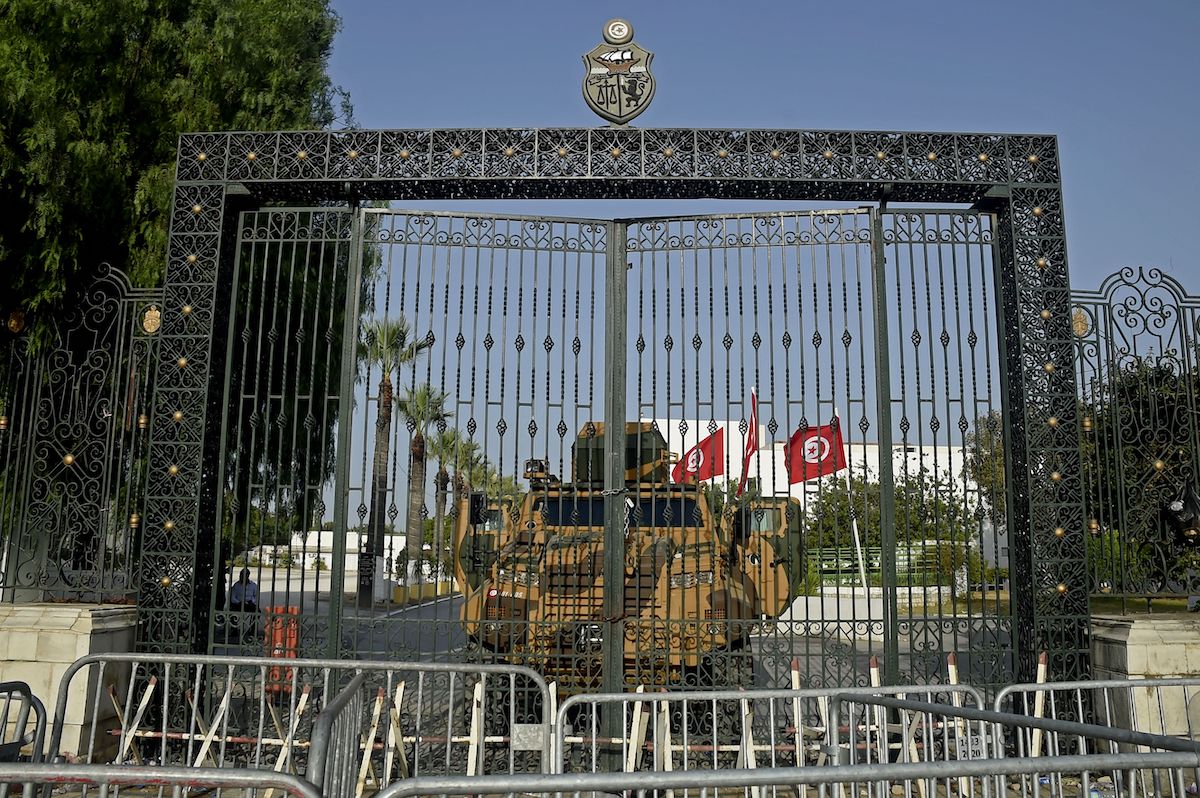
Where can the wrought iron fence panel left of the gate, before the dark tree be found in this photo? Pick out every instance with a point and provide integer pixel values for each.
(74, 419)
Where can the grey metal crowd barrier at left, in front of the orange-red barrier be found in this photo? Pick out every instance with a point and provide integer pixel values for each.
(398, 719)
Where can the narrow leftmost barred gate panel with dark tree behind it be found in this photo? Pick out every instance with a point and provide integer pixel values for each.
(284, 418)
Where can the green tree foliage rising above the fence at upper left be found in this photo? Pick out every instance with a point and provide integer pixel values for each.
(94, 95)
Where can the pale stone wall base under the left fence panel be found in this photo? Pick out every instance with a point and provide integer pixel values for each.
(38, 645)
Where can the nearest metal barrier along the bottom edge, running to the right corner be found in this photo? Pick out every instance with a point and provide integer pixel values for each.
(985, 778)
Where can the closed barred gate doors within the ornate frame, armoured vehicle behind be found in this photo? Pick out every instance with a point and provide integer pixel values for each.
(391, 371)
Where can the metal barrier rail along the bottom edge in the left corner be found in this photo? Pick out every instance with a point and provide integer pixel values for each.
(166, 779)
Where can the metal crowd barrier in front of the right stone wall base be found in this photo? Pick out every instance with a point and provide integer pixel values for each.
(1168, 707)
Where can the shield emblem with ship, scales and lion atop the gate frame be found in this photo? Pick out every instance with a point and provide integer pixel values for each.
(619, 85)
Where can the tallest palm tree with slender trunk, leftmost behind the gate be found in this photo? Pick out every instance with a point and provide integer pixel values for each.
(388, 345)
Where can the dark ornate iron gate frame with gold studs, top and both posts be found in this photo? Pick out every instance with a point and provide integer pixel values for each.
(1017, 177)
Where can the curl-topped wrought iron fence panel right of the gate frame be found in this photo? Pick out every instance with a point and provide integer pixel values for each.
(1139, 403)
